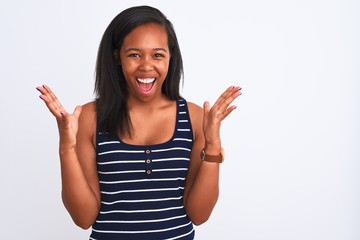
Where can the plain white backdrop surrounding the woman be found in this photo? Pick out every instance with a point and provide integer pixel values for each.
(292, 168)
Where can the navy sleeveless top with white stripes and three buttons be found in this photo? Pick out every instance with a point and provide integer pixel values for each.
(142, 186)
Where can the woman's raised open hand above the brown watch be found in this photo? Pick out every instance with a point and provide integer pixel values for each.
(213, 117)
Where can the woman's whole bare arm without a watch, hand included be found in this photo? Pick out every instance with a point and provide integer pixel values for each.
(80, 189)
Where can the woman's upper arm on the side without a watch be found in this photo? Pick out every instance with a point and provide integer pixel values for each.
(86, 147)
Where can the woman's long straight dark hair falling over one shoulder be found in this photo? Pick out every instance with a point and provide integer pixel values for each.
(110, 85)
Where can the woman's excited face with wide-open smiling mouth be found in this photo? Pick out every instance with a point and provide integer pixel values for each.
(145, 57)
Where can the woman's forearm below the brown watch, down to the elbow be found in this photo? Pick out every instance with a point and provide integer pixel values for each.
(204, 193)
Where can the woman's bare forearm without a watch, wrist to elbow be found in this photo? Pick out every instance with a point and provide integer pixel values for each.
(78, 197)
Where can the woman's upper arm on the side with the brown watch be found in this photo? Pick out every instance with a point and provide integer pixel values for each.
(196, 117)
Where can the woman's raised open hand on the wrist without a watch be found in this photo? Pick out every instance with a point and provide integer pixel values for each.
(67, 123)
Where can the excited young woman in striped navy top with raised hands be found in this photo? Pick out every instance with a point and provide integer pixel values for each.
(140, 162)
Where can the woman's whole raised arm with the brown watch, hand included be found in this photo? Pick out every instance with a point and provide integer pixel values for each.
(202, 183)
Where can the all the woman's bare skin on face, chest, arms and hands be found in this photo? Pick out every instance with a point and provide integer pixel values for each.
(144, 54)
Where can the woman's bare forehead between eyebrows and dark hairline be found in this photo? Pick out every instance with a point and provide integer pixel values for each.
(147, 35)
